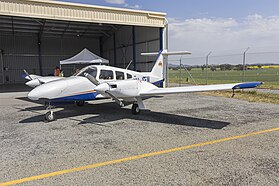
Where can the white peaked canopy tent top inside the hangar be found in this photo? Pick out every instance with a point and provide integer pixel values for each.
(85, 57)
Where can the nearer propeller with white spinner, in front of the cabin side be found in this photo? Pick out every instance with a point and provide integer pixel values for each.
(103, 88)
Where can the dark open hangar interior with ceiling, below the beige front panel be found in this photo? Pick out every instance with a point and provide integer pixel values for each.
(38, 45)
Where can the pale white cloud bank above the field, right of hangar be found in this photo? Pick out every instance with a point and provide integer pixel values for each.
(218, 34)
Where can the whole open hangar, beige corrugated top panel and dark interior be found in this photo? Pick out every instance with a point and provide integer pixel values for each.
(36, 35)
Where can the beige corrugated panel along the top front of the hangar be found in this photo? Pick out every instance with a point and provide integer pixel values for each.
(64, 11)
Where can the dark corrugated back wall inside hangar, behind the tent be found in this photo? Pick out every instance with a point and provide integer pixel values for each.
(21, 52)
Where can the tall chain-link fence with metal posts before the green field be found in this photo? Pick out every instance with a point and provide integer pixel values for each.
(215, 69)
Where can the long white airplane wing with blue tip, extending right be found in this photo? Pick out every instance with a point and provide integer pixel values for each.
(199, 88)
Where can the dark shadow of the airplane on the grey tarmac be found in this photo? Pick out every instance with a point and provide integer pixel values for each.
(108, 112)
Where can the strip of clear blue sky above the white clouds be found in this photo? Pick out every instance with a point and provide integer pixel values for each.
(198, 8)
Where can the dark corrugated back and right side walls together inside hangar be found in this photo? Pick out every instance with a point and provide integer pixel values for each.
(21, 51)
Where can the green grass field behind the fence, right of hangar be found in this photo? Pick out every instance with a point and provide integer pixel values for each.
(270, 77)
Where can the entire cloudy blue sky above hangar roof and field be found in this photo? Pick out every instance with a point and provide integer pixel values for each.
(221, 26)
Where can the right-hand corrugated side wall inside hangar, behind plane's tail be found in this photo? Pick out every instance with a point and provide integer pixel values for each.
(147, 40)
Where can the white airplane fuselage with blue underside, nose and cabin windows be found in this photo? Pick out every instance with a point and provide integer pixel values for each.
(79, 88)
